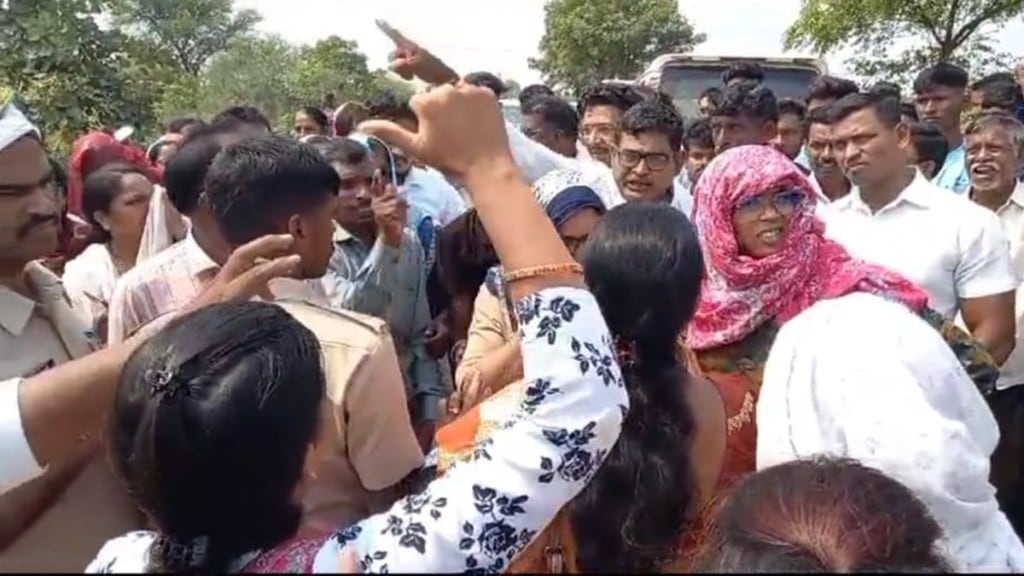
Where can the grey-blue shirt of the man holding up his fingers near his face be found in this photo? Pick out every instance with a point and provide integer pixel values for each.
(389, 283)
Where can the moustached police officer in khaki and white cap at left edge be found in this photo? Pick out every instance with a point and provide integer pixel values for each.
(59, 521)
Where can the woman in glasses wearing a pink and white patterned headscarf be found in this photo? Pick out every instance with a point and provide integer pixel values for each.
(767, 261)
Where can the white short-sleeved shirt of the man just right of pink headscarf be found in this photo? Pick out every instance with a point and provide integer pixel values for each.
(947, 244)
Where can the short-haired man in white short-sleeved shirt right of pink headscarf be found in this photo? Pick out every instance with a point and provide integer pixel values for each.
(954, 250)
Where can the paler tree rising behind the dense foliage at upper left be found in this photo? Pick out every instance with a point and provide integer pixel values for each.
(191, 32)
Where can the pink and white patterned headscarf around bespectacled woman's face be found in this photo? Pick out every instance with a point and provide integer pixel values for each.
(741, 293)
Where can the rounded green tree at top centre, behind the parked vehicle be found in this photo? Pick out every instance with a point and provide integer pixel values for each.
(586, 42)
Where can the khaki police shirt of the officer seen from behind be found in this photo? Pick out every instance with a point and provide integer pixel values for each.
(371, 445)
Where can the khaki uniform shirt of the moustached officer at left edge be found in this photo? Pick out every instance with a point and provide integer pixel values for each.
(36, 335)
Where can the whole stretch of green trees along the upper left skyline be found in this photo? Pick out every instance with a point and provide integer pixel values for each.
(160, 60)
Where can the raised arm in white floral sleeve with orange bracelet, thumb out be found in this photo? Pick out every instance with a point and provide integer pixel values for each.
(488, 509)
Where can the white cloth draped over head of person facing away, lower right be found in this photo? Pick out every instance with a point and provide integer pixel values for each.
(895, 399)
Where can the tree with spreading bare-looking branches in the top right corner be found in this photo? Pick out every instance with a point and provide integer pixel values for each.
(956, 31)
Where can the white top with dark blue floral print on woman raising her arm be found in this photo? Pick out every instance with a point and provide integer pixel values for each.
(487, 510)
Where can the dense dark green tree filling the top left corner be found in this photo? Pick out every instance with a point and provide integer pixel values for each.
(69, 72)
